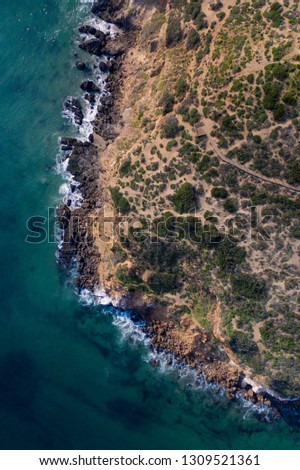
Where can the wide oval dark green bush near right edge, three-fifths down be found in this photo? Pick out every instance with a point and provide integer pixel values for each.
(247, 286)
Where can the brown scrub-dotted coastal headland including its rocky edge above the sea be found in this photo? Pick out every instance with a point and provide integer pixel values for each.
(166, 171)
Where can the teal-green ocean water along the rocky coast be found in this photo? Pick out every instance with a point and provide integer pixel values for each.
(74, 376)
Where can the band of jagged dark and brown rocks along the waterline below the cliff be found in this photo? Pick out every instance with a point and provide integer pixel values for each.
(192, 348)
